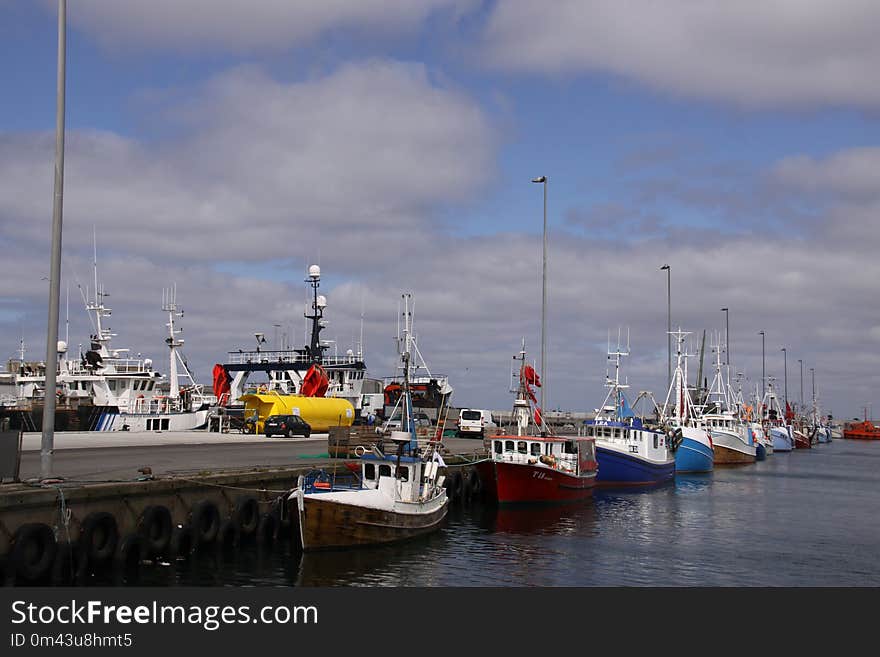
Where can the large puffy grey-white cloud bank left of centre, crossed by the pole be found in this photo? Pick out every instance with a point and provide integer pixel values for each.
(264, 169)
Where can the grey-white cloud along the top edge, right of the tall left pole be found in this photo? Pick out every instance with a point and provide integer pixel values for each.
(252, 25)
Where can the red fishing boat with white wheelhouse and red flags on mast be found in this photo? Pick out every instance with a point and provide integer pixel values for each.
(527, 465)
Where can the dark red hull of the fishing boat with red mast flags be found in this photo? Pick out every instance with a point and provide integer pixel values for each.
(512, 483)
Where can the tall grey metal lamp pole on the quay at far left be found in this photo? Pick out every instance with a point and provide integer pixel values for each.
(47, 443)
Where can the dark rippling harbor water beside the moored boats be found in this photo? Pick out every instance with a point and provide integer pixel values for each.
(806, 518)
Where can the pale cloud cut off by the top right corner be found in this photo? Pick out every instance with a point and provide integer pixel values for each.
(751, 52)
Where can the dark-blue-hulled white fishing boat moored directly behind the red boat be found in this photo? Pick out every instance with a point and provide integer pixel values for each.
(628, 452)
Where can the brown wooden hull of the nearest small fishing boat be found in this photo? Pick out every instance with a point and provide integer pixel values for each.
(328, 524)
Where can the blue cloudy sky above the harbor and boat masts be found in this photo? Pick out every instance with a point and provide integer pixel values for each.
(223, 147)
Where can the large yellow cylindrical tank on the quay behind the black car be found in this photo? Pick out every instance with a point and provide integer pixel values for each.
(320, 412)
